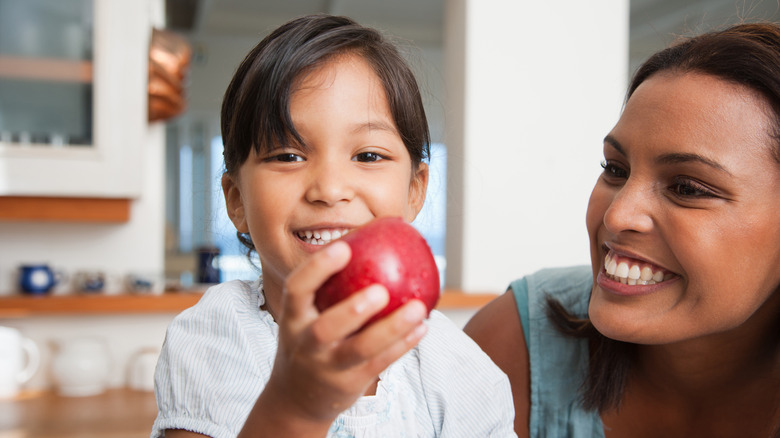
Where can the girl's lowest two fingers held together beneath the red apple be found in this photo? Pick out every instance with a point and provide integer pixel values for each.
(383, 337)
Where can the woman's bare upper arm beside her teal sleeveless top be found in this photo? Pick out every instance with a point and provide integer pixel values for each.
(497, 329)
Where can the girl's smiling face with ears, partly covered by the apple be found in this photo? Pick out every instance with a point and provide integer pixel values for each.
(354, 168)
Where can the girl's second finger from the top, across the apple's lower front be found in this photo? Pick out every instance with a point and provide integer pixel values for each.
(347, 316)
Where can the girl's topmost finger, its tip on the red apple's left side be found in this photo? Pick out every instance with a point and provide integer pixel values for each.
(301, 284)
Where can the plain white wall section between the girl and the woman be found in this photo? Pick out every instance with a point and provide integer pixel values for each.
(533, 87)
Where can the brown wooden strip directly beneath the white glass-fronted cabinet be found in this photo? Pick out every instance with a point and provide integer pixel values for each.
(54, 209)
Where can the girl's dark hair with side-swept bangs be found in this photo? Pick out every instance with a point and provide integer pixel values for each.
(256, 106)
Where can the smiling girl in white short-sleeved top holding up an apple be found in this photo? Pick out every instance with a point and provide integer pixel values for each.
(324, 130)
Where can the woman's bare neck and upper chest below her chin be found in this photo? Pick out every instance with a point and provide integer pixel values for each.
(725, 384)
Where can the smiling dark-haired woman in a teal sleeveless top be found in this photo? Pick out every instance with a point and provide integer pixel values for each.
(674, 331)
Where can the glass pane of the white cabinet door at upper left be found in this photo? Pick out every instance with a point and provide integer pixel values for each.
(46, 72)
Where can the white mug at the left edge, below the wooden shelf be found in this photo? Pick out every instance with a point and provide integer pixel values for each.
(19, 359)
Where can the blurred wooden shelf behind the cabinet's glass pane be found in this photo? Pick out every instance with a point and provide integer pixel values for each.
(45, 69)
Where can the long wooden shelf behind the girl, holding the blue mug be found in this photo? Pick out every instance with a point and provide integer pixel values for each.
(22, 306)
